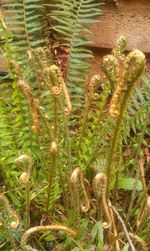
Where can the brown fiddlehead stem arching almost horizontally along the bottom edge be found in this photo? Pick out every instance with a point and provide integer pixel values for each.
(41, 229)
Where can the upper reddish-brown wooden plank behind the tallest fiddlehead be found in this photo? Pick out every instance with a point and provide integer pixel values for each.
(130, 18)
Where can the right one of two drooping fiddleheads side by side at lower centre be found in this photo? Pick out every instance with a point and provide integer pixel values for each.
(99, 187)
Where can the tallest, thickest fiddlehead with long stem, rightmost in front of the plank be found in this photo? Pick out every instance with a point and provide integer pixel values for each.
(133, 68)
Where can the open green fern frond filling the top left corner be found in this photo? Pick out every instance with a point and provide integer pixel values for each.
(24, 20)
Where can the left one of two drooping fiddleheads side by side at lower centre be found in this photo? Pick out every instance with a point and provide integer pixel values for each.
(76, 181)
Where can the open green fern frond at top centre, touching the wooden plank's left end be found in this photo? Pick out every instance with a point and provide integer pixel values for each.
(70, 18)
